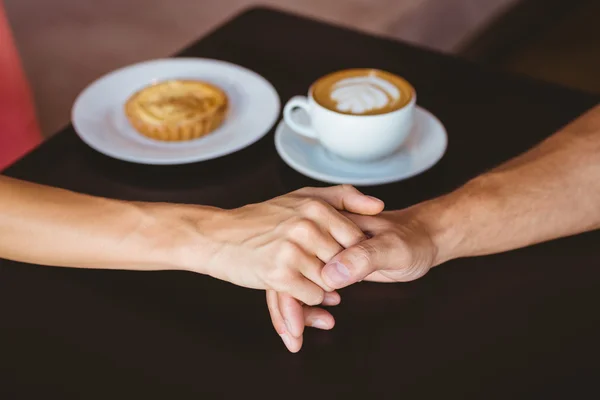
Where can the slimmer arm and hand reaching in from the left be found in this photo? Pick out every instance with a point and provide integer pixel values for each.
(281, 244)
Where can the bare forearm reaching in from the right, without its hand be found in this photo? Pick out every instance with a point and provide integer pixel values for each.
(549, 192)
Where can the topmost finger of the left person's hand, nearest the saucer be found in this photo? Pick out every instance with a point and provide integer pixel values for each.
(346, 197)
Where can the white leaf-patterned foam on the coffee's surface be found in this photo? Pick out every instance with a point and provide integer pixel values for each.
(364, 93)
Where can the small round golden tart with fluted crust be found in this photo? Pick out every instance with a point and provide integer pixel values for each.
(177, 110)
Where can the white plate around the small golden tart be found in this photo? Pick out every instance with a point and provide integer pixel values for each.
(99, 119)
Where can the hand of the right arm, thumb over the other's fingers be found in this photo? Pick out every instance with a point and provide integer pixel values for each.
(399, 249)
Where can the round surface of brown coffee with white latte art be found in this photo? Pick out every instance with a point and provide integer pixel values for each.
(362, 92)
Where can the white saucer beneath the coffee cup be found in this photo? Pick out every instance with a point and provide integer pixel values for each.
(424, 148)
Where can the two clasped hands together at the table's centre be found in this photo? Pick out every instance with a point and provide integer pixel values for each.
(304, 245)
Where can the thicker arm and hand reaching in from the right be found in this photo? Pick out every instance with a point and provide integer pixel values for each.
(548, 192)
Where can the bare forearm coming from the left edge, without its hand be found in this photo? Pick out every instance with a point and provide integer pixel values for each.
(50, 226)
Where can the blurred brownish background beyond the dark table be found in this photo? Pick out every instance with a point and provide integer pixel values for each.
(66, 44)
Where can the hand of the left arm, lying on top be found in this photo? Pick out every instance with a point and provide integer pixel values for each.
(282, 244)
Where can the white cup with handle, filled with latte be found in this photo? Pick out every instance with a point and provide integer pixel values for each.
(357, 114)
